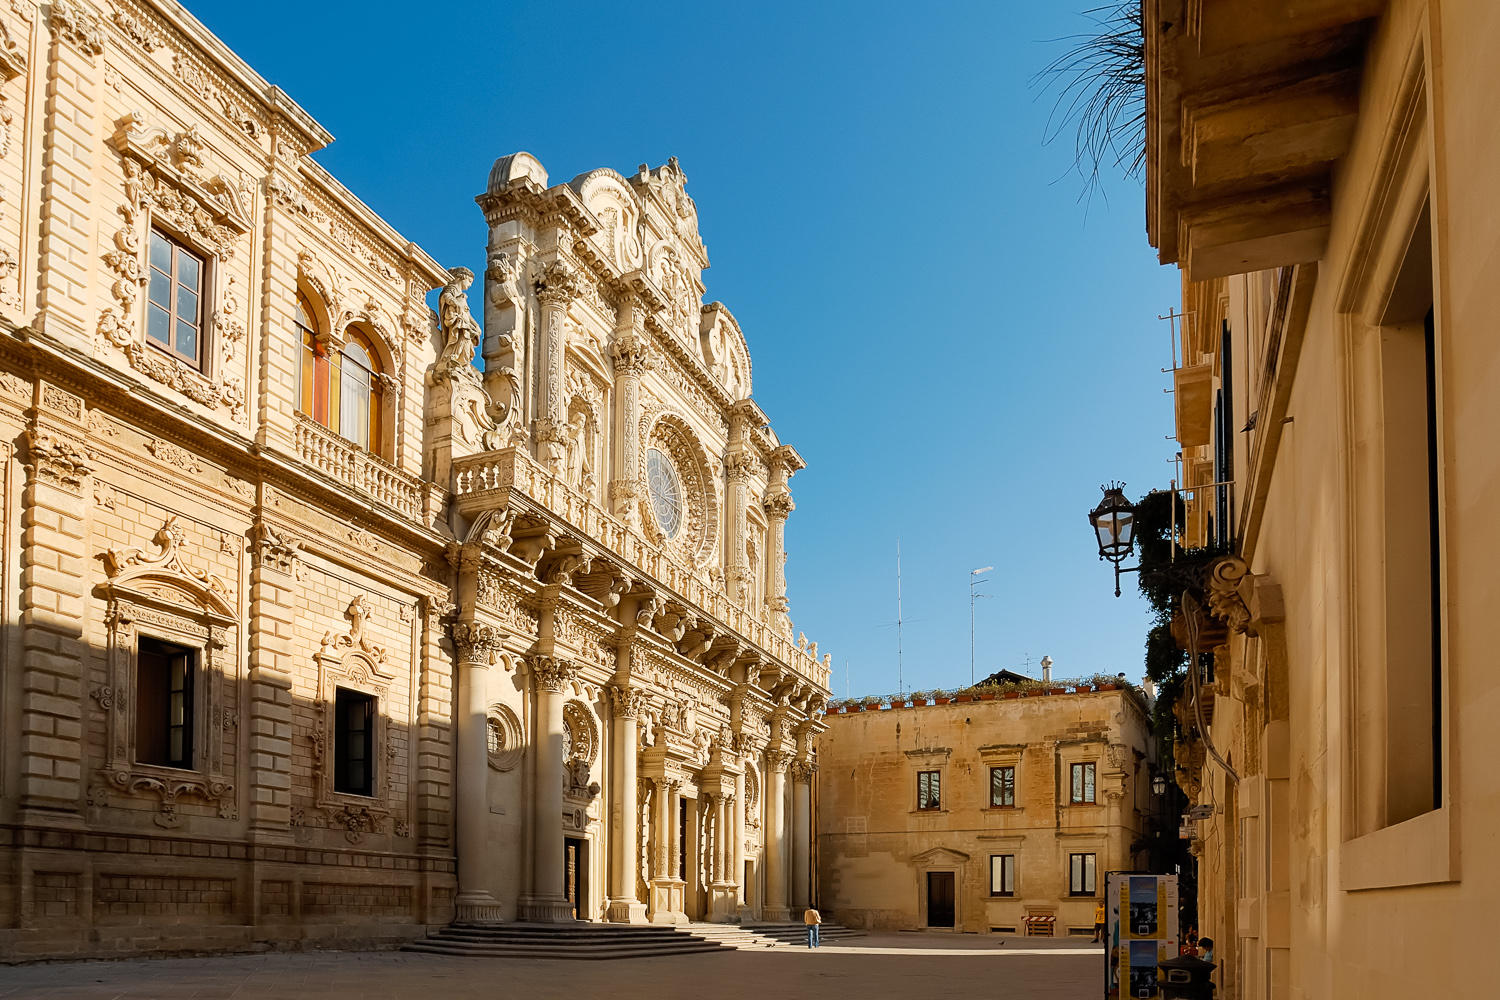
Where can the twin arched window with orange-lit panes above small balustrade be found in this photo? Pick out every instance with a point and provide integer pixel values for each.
(341, 389)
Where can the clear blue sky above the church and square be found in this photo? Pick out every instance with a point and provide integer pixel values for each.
(961, 353)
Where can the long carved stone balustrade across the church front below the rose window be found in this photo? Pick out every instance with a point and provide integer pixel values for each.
(512, 479)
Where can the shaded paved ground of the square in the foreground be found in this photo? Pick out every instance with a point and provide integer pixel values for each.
(907, 966)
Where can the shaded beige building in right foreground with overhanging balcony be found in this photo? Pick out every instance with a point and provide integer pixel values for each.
(1324, 175)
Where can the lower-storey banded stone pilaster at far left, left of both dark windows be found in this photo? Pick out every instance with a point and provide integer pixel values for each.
(55, 567)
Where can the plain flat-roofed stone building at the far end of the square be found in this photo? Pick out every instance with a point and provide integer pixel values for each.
(983, 815)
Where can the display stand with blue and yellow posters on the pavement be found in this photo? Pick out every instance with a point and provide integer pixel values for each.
(1141, 930)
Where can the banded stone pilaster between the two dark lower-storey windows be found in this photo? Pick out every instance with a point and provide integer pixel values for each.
(274, 609)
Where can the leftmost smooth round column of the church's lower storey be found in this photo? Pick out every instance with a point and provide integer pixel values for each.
(476, 647)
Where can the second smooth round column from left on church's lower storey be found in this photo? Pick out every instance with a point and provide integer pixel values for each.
(548, 903)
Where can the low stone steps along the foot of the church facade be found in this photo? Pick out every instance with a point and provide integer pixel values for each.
(611, 941)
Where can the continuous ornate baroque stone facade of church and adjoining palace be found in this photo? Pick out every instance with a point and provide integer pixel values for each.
(329, 618)
